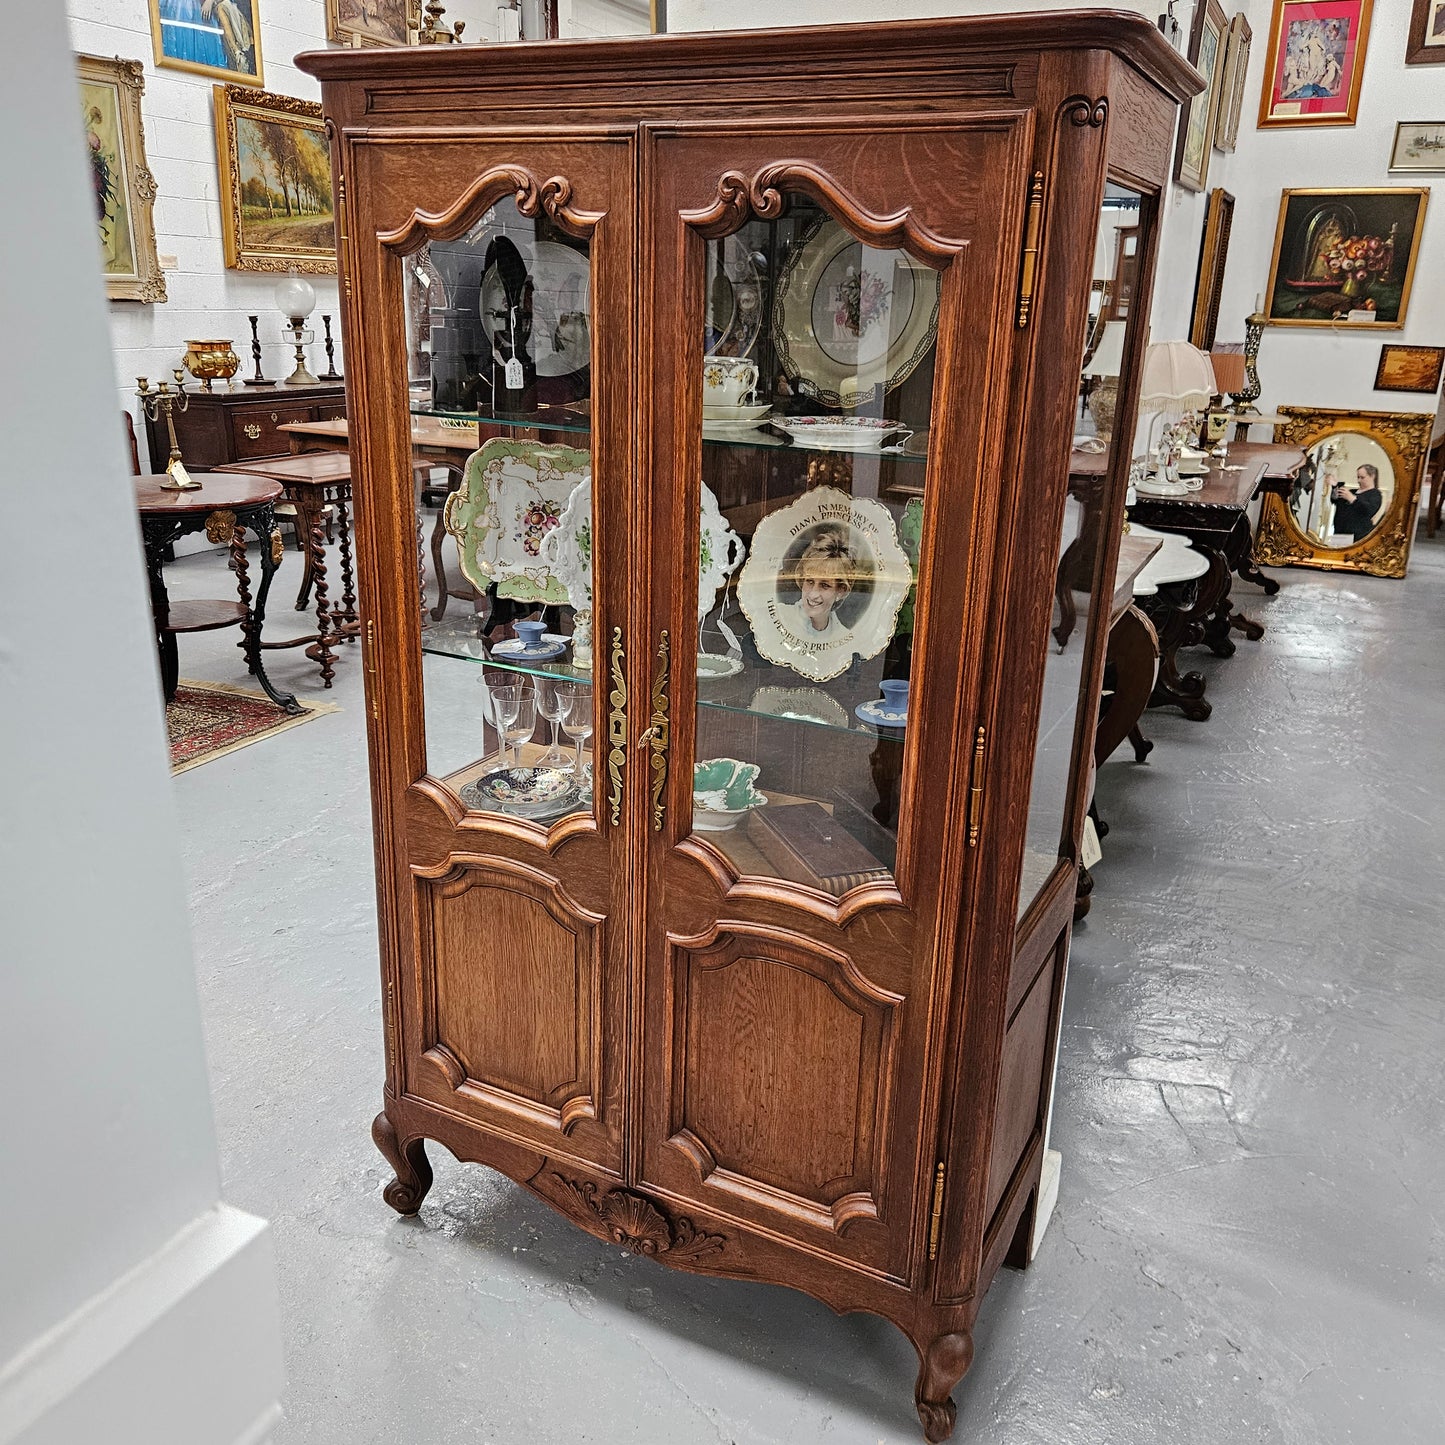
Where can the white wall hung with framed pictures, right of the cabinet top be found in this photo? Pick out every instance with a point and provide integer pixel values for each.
(1306, 366)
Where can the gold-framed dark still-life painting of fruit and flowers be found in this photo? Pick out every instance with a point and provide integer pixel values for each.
(1346, 258)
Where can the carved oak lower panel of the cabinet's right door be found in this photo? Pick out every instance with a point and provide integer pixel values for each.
(758, 1019)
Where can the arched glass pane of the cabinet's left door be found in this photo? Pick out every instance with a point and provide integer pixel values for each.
(499, 336)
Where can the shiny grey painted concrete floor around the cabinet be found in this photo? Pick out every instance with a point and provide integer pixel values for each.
(1248, 1243)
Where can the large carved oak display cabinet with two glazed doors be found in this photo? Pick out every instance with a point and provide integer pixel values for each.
(772, 343)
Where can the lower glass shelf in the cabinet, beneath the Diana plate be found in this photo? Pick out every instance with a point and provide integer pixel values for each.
(823, 706)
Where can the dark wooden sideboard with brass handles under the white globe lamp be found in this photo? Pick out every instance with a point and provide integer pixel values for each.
(223, 427)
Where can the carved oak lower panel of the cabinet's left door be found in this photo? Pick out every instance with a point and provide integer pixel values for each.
(515, 1011)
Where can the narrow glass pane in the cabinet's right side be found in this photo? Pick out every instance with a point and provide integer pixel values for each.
(1082, 540)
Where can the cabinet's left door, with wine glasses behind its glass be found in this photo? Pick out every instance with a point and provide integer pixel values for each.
(499, 274)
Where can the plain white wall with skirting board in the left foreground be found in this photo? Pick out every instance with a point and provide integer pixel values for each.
(111, 1203)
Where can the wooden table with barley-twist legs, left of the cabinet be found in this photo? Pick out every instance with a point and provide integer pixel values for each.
(313, 483)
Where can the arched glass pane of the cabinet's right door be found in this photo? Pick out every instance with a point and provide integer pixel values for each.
(817, 389)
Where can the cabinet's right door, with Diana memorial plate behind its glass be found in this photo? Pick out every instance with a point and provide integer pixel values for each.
(832, 310)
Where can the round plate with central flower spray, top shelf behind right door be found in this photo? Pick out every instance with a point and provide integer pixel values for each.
(852, 323)
